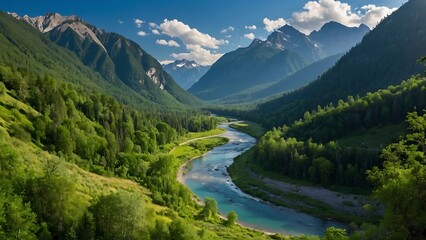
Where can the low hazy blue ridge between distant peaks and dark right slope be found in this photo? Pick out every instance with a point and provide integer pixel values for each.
(297, 80)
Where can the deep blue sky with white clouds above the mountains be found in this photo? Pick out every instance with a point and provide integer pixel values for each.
(204, 30)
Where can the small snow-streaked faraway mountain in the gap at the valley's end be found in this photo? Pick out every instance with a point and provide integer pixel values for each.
(185, 72)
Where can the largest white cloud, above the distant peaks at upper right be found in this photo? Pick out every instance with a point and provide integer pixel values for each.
(317, 13)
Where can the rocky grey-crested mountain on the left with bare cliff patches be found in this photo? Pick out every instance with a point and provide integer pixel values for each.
(113, 56)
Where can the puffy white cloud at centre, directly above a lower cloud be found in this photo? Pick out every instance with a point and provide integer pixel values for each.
(175, 28)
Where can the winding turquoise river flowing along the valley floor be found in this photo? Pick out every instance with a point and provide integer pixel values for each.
(207, 177)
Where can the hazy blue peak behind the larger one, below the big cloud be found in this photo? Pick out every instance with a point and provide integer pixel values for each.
(335, 38)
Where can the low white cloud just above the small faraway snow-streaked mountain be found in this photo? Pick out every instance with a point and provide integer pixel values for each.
(200, 55)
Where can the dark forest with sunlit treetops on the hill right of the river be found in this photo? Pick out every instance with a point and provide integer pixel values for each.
(308, 149)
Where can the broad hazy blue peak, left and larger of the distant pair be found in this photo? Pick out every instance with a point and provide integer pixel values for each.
(282, 54)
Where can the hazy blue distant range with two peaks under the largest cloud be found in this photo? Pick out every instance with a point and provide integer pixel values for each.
(283, 53)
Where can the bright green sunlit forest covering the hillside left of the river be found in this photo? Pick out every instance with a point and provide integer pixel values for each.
(98, 134)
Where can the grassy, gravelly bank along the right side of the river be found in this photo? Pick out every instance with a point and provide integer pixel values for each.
(314, 200)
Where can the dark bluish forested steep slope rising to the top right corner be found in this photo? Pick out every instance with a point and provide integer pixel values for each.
(383, 58)
